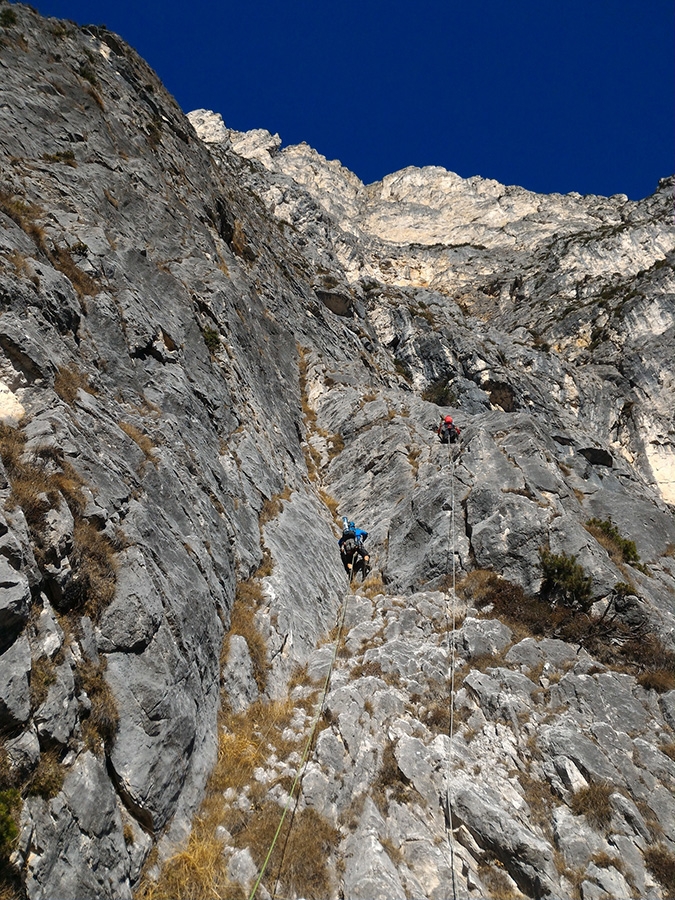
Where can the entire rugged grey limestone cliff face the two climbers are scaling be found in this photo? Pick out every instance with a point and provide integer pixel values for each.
(210, 348)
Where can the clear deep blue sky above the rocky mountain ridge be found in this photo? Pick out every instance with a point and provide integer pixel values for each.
(553, 95)
